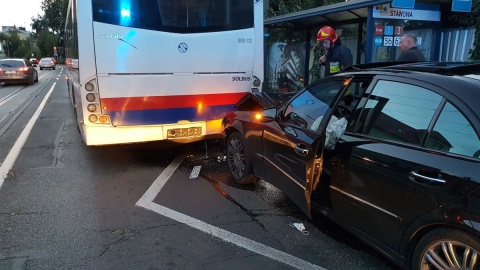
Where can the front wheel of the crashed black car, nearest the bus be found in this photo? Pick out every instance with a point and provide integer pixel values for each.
(238, 159)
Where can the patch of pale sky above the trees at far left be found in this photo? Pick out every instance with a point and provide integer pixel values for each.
(19, 12)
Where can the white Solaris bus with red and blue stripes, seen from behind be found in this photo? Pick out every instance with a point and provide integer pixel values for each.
(149, 70)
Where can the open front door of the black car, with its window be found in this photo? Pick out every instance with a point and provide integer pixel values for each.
(293, 145)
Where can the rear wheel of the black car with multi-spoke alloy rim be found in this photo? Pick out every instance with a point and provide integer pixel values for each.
(446, 247)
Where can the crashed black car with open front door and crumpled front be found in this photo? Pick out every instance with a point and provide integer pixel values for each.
(391, 153)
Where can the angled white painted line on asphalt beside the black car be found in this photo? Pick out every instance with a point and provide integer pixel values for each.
(146, 201)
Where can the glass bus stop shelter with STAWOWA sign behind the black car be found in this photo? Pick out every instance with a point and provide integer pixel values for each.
(370, 28)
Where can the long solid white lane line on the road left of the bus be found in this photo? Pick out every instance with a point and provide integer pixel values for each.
(17, 147)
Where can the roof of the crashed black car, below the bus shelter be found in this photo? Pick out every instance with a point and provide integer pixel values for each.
(461, 79)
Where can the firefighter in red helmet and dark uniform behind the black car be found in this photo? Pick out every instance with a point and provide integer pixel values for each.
(338, 56)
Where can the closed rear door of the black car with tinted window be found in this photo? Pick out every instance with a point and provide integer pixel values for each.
(390, 166)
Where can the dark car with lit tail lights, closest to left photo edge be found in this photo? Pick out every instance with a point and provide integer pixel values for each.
(16, 70)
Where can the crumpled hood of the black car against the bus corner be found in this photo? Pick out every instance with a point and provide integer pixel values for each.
(262, 100)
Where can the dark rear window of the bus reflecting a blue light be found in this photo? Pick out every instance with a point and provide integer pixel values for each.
(177, 16)
